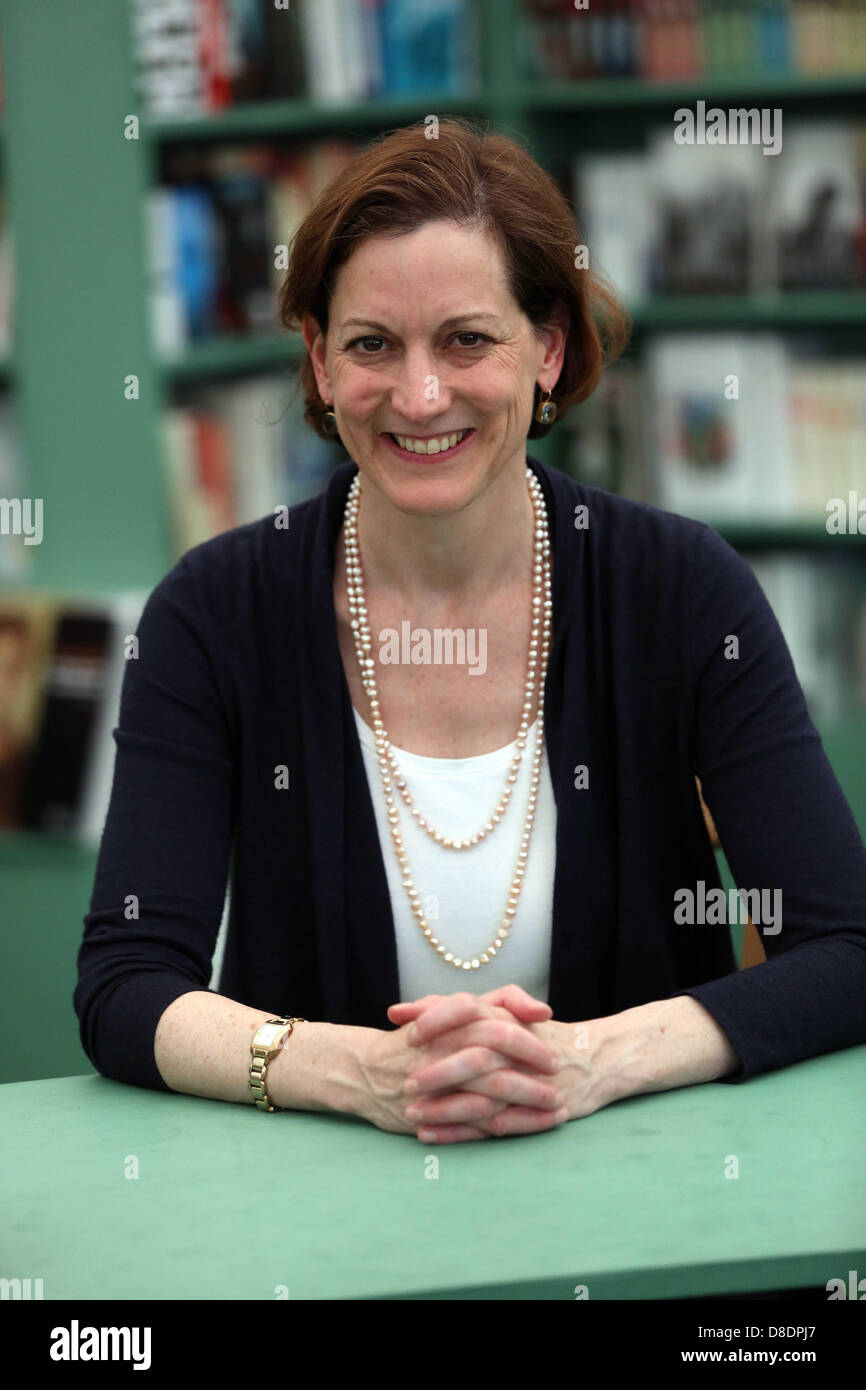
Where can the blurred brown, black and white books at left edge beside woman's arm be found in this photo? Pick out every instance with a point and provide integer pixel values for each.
(62, 665)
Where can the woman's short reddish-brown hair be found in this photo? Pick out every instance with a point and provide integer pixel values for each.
(405, 180)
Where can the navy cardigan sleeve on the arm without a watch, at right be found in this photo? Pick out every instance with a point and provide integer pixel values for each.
(783, 822)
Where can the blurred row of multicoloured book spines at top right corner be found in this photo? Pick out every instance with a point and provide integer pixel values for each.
(676, 40)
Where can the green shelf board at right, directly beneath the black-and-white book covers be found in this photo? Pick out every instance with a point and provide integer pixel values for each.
(772, 311)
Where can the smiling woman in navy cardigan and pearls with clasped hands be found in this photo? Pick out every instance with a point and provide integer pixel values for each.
(461, 900)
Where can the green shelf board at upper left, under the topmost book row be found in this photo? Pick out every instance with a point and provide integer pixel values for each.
(269, 119)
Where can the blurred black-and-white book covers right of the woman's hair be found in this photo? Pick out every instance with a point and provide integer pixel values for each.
(689, 219)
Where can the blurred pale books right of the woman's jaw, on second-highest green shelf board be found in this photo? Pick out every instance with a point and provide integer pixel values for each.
(730, 429)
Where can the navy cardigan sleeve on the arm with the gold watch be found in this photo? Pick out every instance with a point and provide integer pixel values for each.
(163, 860)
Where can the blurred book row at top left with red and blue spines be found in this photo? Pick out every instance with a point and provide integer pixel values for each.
(201, 56)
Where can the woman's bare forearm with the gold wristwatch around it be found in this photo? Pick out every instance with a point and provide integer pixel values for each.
(202, 1047)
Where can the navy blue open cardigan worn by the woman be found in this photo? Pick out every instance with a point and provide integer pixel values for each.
(240, 673)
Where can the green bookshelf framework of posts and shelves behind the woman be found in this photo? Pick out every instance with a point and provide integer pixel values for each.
(76, 191)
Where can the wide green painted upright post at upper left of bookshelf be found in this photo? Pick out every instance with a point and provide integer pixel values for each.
(77, 190)
